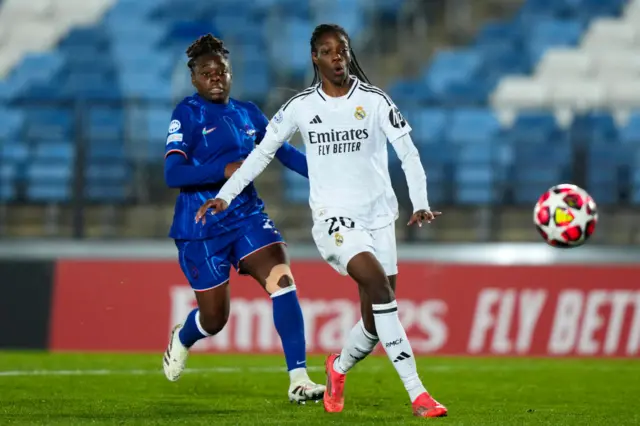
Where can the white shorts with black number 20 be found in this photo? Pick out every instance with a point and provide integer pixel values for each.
(339, 240)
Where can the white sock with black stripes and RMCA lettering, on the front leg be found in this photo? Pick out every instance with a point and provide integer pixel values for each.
(395, 343)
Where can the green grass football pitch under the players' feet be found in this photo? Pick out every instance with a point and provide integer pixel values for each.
(114, 389)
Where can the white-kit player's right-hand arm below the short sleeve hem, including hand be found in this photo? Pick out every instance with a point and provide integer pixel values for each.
(416, 180)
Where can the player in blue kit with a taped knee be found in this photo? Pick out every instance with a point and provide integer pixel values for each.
(209, 136)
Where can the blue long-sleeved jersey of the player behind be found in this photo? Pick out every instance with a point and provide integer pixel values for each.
(203, 138)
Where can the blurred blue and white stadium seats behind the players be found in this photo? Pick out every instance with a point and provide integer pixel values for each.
(527, 102)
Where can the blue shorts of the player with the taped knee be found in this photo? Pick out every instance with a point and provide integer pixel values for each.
(207, 263)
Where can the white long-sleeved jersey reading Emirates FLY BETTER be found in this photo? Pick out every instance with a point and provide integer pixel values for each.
(346, 148)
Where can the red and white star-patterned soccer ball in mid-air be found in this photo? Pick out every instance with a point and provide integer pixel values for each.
(565, 216)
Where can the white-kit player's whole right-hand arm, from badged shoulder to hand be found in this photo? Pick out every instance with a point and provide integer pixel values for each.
(397, 130)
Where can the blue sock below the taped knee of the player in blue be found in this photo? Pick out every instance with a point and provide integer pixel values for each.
(289, 322)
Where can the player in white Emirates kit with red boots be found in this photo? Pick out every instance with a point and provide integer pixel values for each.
(345, 124)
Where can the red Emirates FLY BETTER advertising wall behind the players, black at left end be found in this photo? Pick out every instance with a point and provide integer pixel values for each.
(469, 300)
